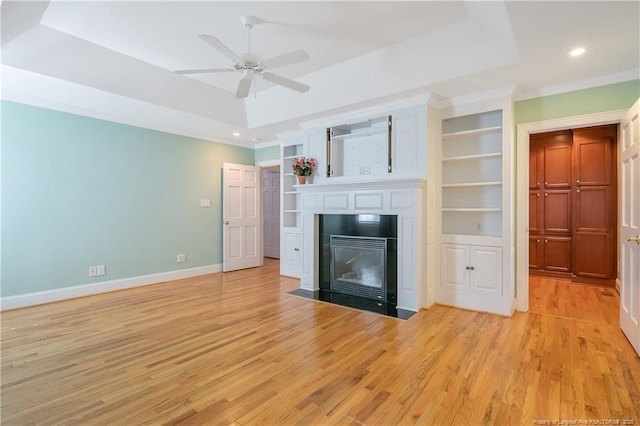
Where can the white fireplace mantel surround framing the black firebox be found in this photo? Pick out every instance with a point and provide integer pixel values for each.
(403, 197)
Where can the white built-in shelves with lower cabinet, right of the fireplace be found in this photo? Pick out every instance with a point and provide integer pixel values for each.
(474, 208)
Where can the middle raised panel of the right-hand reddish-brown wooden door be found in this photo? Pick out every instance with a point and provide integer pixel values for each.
(594, 209)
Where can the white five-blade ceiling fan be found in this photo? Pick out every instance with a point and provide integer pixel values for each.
(251, 64)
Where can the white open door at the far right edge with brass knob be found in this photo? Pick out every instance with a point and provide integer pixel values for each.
(630, 227)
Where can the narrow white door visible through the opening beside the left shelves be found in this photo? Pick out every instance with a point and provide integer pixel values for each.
(271, 212)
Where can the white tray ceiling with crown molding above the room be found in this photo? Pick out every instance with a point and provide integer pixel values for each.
(115, 60)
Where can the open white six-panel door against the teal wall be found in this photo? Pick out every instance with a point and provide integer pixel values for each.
(241, 216)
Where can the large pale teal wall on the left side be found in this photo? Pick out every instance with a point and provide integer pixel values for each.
(78, 192)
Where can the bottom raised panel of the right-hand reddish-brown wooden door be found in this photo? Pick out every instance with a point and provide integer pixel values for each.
(593, 255)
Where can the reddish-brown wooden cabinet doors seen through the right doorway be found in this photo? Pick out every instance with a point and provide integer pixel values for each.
(573, 204)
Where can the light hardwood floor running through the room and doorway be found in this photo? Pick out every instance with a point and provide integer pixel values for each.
(235, 348)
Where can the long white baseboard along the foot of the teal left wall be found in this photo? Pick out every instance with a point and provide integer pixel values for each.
(48, 296)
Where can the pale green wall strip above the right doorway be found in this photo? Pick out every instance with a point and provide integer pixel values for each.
(588, 101)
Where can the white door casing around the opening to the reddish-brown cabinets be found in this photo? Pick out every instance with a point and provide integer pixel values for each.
(522, 186)
